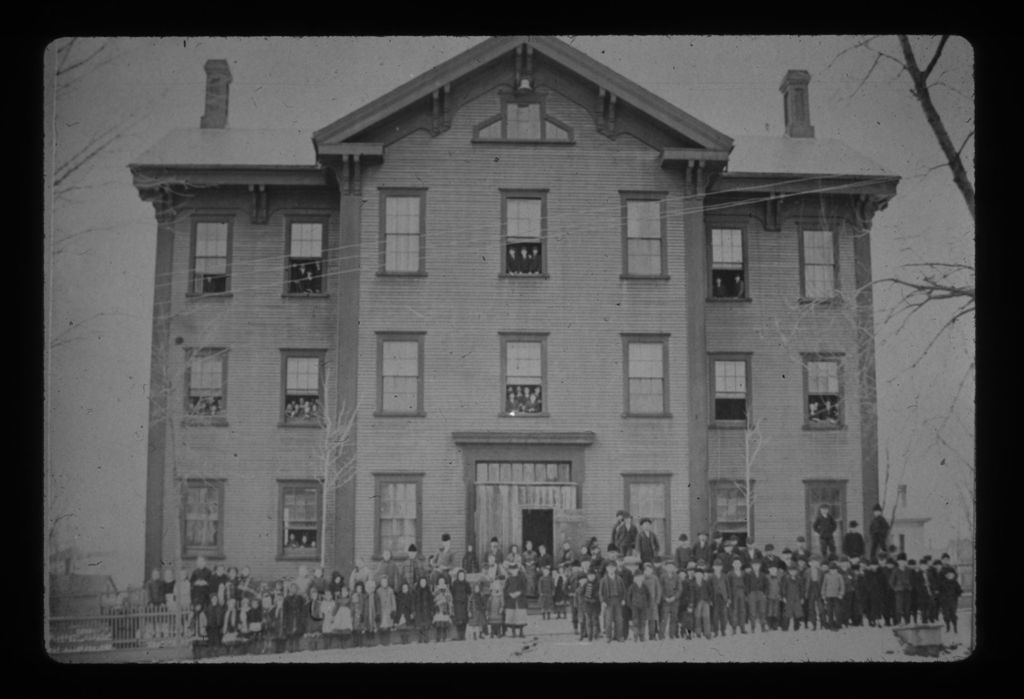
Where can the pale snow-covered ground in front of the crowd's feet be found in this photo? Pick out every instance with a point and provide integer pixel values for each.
(550, 642)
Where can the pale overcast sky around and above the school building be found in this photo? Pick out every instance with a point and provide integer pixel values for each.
(102, 238)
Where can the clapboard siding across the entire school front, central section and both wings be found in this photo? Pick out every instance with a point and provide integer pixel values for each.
(462, 305)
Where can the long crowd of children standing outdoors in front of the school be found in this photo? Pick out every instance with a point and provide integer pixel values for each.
(709, 589)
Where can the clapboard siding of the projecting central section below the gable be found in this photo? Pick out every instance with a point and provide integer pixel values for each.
(462, 305)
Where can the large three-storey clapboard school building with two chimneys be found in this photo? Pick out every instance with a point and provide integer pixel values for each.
(524, 292)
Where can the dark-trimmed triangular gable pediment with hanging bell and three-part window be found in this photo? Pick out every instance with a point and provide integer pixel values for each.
(618, 105)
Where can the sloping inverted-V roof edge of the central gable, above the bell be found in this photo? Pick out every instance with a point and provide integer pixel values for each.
(492, 50)
